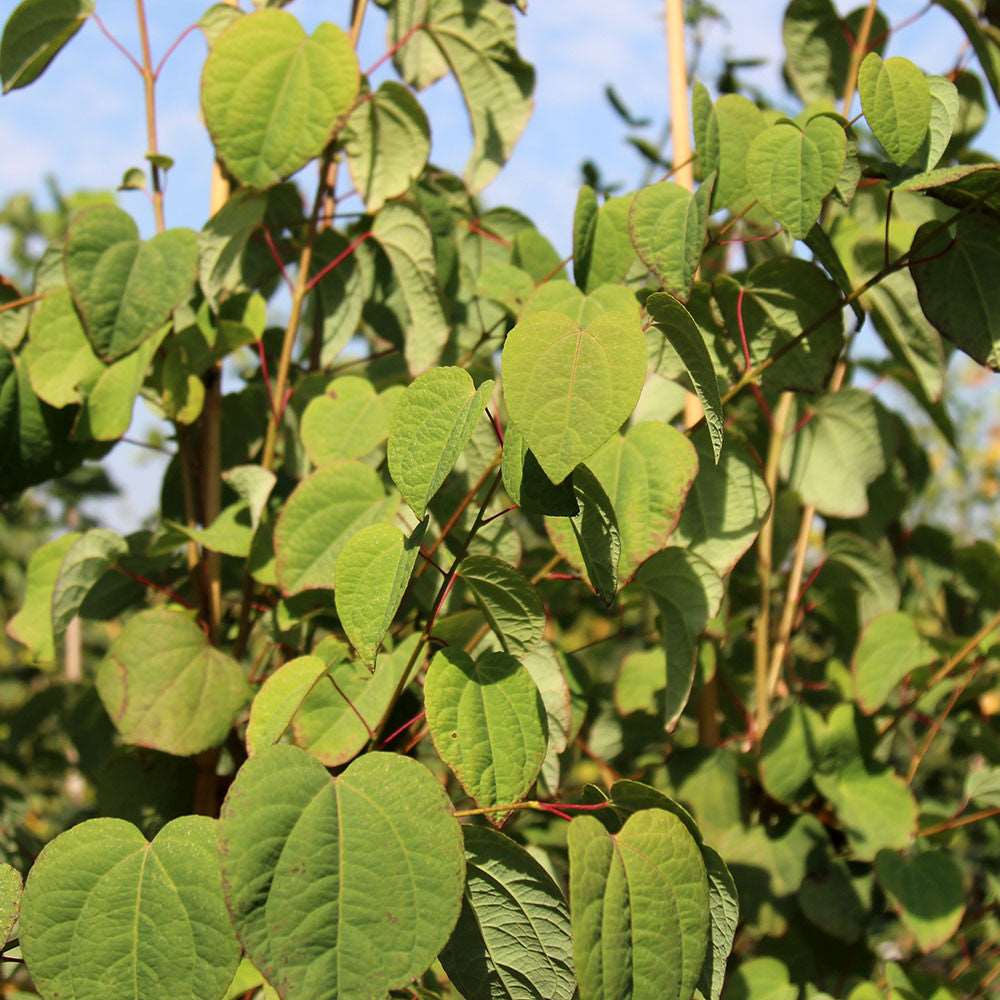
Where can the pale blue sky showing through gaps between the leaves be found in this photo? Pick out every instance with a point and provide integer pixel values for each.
(83, 120)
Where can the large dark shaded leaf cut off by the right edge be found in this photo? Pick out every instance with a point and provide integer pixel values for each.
(957, 291)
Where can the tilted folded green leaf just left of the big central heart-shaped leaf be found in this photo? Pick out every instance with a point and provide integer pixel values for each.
(430, 427)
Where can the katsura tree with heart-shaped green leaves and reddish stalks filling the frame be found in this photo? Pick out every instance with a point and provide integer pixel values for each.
(511, 626)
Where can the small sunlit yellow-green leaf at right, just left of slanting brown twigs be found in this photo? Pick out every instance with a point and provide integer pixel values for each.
(889, 649)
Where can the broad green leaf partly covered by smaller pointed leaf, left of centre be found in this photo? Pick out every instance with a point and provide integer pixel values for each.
(322, 513)
